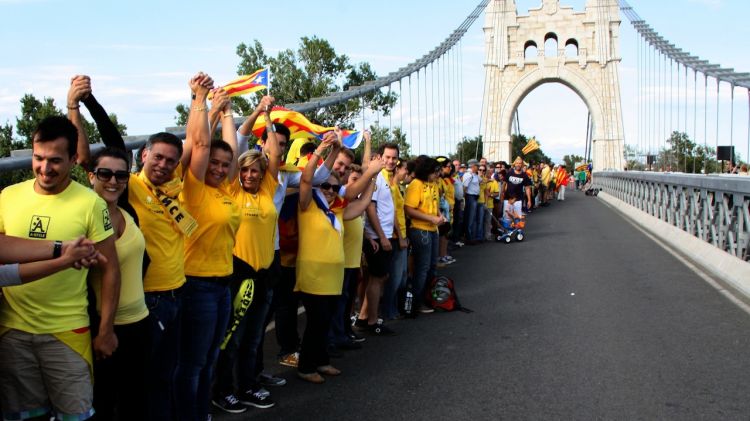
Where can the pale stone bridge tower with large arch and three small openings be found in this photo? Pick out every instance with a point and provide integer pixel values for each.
(586, 61)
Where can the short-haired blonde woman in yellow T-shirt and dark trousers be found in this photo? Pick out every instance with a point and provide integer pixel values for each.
(253, 191)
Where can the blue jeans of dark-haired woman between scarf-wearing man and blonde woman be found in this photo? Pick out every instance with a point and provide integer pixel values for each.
(206, 305)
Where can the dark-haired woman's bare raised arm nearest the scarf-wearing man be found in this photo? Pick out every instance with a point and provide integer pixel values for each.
(197, 149)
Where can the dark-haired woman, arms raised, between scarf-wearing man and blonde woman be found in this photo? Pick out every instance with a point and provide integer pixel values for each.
(208, 251)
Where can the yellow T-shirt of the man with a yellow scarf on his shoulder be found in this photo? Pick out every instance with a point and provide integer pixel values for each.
(164, 241)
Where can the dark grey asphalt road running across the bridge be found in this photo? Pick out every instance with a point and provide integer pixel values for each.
(585, 319)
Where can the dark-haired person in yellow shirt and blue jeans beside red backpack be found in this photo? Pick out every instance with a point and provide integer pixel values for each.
(422, 206)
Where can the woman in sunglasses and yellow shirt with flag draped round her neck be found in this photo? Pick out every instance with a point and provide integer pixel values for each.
(320, 258)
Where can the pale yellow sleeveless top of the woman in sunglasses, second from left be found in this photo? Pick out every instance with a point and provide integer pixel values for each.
(130, 246)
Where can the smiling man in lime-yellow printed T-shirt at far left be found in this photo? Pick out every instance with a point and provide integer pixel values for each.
(44, 325)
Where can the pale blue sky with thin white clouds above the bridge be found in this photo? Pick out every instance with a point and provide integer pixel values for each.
(141, 54)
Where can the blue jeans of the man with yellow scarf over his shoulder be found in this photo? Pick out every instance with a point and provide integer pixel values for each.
(164, 321)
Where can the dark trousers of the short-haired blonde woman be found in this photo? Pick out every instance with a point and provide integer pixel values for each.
(242, 349)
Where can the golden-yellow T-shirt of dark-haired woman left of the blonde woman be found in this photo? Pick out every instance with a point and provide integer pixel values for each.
(208, 252)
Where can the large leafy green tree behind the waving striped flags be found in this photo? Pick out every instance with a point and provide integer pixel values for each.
(315, 70)
